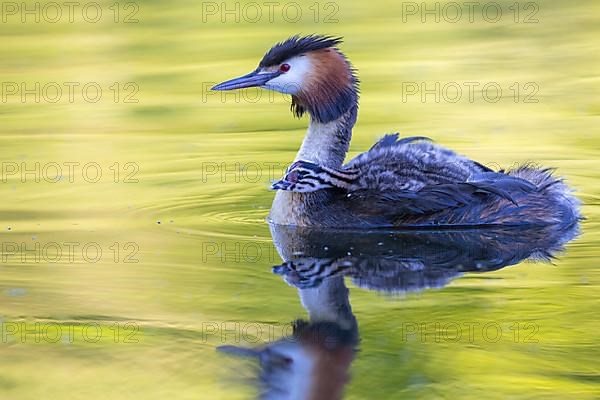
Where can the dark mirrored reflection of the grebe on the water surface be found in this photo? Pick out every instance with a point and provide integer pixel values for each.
(314, 362)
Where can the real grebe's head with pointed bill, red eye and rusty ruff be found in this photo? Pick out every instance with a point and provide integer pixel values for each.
(311, 69)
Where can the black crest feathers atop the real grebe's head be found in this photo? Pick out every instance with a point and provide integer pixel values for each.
(295, 46)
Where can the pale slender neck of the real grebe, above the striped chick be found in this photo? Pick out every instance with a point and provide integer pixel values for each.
(326, 143)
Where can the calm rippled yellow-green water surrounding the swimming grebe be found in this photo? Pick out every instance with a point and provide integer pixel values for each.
(134, 240)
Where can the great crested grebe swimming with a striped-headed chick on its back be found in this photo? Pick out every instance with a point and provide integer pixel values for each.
(398, 182)
